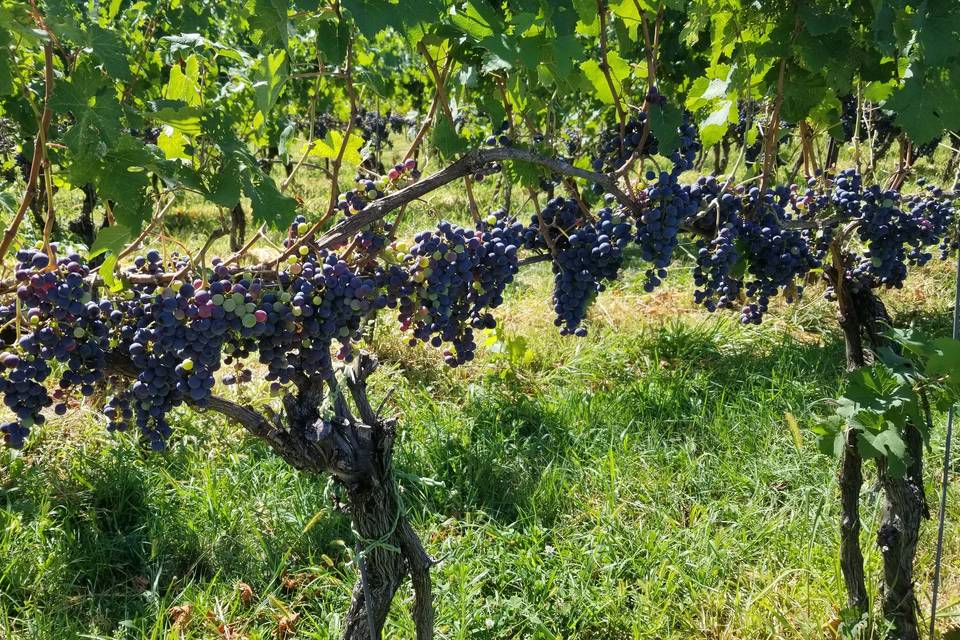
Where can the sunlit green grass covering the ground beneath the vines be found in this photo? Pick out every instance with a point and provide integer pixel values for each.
(643, 482)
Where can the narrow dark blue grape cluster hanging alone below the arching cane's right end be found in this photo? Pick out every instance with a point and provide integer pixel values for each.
(583, 262)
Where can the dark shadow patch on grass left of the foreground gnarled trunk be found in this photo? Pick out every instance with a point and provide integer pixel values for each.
(121, 522)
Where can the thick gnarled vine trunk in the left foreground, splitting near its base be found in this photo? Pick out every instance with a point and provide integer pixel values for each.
(358, 454)
